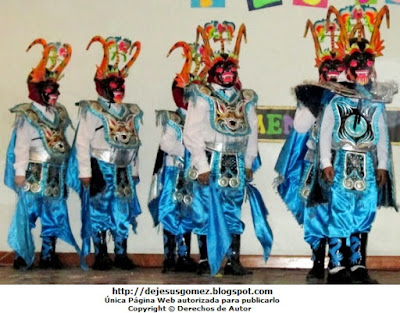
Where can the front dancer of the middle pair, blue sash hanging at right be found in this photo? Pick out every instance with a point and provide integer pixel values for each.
(221, 134)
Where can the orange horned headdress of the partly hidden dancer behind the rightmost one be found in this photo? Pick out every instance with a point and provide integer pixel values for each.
(319, 31)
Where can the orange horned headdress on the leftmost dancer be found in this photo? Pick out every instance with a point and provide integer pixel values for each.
(54, 60)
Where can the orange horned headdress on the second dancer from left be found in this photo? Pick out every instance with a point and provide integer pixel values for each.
(115, 49)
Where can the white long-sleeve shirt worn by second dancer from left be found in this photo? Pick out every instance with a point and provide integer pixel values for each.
(90, 135)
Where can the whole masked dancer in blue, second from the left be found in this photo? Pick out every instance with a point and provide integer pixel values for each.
(107, 145)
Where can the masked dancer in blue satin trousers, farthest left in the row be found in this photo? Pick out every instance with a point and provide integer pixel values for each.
(36, 162)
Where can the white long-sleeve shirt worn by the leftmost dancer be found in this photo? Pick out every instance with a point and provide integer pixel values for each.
(27, 137)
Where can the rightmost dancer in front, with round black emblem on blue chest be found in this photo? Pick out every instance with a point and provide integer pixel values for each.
(355, 151)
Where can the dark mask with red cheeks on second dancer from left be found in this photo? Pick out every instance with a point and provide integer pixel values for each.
(112, 88)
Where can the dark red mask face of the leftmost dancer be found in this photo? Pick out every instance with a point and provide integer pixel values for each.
(45, 92)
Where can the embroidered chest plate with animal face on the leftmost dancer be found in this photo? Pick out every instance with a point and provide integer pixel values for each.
(52, 133)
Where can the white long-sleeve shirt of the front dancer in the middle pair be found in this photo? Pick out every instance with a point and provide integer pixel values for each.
(198, 131)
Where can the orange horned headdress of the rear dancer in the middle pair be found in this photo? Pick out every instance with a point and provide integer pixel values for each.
(193, 70)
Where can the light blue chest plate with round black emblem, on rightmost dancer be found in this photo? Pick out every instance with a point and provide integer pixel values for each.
(356, 123)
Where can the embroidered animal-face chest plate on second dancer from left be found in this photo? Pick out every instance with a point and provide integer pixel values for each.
(120, 130)
